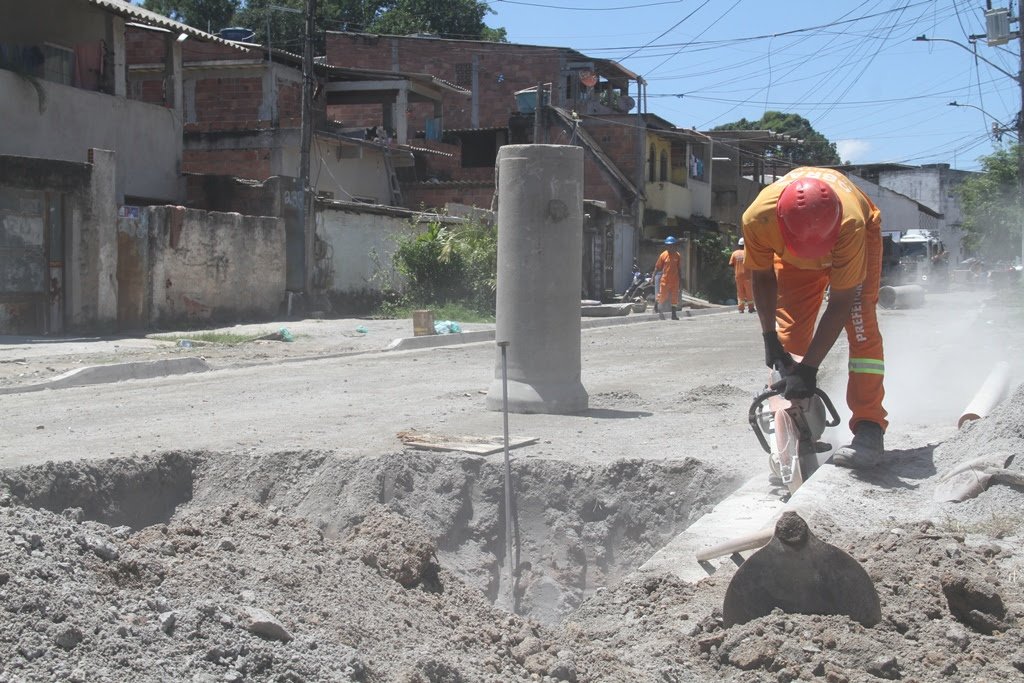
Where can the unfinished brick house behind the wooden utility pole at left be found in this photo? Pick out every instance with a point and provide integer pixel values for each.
(242, 112)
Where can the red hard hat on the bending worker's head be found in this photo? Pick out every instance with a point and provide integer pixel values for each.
(809, 215)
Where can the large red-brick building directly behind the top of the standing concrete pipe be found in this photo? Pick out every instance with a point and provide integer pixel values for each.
(503, 79)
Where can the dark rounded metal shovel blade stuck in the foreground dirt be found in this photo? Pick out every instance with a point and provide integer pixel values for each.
(800, 574)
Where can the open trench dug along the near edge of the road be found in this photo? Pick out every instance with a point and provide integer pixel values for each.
(577, 529)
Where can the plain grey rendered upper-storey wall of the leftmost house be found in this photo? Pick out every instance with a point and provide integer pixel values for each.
(147, 139)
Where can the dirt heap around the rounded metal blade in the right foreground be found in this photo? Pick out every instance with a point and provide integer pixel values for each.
(938, 596)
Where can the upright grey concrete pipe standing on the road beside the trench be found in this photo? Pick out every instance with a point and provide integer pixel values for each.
(540, 273)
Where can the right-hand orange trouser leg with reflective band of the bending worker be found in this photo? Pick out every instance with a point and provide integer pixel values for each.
(866, 391)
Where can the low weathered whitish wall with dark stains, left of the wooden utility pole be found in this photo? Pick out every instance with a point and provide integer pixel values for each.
(195, 268)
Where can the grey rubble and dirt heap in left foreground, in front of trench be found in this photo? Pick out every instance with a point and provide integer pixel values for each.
(241, 592)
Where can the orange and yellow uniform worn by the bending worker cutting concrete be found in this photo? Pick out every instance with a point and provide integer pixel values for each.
(855, 262)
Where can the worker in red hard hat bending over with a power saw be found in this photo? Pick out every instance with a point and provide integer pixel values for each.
(812, 230)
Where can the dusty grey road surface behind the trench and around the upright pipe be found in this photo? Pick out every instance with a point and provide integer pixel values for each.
(659, 390)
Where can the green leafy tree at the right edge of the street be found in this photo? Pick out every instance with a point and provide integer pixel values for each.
(992, 207)
